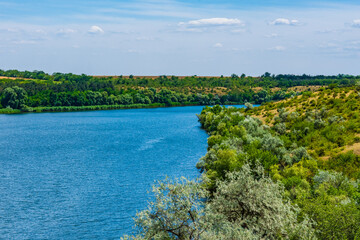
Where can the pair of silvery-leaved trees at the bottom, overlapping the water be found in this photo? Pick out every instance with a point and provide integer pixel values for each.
(248, 205)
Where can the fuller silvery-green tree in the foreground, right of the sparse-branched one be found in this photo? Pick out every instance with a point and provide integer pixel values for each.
(254, 202)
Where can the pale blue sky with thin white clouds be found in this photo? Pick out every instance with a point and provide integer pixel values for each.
(181, 37)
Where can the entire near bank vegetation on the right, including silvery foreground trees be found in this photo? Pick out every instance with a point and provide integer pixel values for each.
(285, 170)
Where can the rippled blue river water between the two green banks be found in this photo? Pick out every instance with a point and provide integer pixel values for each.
(84, 175)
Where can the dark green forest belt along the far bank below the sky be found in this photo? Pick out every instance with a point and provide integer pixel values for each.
(36, 91)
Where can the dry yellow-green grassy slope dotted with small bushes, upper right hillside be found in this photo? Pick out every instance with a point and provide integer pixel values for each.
(333, 112)
